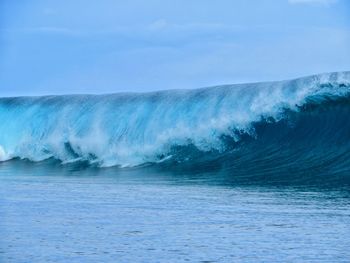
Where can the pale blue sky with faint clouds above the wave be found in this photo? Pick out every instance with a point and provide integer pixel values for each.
(108, 46)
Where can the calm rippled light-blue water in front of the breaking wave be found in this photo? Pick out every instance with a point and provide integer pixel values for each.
(63, 214)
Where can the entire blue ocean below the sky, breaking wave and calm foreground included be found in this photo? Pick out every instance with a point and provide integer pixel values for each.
(239, 173)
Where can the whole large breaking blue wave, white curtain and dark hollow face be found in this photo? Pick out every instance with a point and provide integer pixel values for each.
(270, 125)
